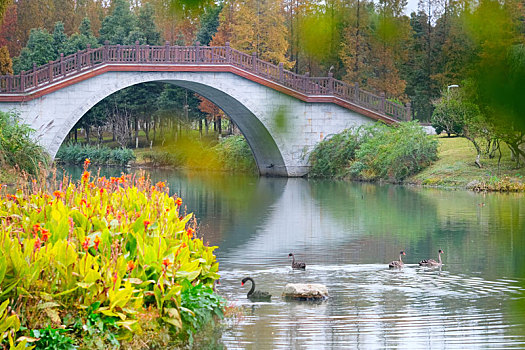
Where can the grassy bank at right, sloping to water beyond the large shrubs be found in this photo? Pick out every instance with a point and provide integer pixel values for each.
(455, 167)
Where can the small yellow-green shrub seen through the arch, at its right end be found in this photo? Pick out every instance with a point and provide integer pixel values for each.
(235, 154)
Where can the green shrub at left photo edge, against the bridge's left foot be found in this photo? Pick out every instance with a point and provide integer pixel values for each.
(17, 148)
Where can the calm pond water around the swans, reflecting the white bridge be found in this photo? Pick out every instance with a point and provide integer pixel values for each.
(347, 233)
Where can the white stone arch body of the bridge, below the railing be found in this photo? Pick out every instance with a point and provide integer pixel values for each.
(280, 128)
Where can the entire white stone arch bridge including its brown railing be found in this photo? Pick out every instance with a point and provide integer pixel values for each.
(256, 95)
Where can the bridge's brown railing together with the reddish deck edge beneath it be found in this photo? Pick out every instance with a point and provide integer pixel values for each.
(87, 63)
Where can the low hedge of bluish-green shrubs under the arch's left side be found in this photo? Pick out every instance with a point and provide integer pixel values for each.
(77, 153)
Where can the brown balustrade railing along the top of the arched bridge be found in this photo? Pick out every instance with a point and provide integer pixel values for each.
(81, 61)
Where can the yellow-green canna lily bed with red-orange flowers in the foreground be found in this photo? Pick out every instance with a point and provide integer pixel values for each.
(122, 243)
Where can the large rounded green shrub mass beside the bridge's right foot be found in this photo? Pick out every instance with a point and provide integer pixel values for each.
(375, 152)
